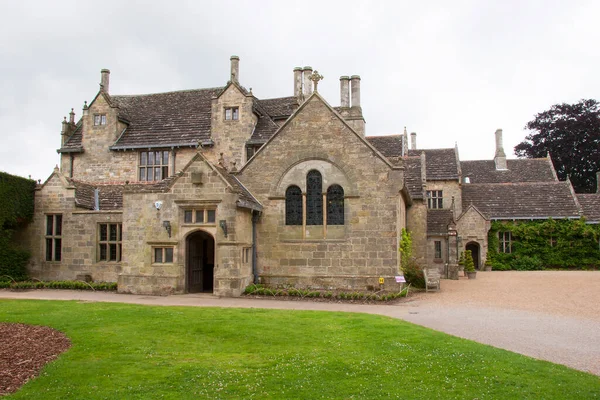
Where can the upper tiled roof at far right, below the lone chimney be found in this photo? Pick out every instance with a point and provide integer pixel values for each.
(522, 170)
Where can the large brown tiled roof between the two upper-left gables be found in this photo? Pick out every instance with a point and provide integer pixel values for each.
(180, 118)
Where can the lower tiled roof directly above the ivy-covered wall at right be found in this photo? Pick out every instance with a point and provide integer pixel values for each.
(522, 200)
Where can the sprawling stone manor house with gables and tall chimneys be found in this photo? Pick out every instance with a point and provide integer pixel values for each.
(210, 190)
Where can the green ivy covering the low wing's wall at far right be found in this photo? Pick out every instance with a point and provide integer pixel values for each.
(546, 244)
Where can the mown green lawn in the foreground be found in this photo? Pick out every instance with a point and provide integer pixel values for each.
(141, 352)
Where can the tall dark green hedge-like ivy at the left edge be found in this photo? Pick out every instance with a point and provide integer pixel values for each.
(16, 209)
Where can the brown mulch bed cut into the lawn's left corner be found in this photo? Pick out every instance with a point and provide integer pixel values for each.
(24, 350)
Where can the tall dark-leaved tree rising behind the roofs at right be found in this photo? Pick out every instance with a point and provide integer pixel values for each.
(571, 133)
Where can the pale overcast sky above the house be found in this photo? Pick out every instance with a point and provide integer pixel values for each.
(450, 71)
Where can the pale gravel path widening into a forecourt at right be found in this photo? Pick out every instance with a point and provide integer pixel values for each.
(550, 315)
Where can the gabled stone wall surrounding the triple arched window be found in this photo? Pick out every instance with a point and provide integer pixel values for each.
(351, 256)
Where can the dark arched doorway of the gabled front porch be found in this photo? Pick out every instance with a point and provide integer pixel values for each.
(200, 262)
